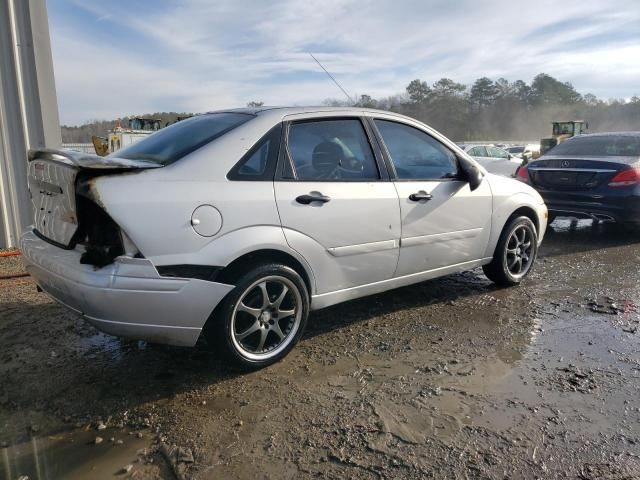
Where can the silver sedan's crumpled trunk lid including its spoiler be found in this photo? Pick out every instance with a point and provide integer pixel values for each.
(52, 186)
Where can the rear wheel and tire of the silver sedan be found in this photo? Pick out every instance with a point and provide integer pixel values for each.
(240, 309)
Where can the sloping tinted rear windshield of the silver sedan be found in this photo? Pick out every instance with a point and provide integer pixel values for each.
(176, 141)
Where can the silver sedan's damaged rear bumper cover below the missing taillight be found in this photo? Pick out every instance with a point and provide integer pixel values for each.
(127, 298)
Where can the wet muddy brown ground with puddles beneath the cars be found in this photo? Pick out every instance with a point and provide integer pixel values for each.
(451, 378)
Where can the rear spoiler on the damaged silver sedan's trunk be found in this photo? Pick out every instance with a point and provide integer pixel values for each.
(89, 160)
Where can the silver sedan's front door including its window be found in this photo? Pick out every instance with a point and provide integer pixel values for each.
(444, 223)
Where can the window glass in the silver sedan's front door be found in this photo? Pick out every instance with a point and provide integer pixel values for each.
(415, 154)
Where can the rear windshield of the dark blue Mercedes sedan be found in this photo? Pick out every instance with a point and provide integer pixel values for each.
(610, 145)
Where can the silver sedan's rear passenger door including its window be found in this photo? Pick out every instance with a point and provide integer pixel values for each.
(336, 203)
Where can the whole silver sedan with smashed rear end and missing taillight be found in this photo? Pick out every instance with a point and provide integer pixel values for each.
(238, 223)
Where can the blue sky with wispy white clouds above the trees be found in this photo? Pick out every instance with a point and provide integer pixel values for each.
(123, 57)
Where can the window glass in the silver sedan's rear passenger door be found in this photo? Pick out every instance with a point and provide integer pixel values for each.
(326, 150)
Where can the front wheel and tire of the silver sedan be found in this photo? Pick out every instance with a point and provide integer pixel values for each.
(508, 250)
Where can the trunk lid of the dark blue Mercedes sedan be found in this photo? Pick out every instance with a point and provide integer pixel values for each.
(558, 173)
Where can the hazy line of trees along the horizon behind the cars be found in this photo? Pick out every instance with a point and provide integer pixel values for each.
(485, 110)
